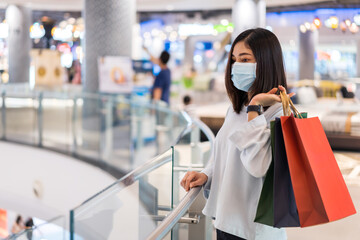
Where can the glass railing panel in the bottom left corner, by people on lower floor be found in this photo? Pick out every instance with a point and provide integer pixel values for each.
(54, 229)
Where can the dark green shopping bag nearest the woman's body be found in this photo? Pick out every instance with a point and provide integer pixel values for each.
(265, 208)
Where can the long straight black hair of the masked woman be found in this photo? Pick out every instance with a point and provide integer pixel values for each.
(270, 71)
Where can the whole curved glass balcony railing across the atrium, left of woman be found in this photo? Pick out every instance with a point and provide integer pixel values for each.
(120, 131)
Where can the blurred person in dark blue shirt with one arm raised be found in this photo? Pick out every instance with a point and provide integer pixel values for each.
(161, 86)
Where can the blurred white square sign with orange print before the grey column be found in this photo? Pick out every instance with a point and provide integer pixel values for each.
(115, 74)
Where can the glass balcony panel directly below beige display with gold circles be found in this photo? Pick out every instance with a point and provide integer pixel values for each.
(56, 118)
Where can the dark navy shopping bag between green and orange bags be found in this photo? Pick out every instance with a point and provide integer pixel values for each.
(285, 211)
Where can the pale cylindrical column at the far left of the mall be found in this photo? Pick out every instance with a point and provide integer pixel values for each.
(19, 19)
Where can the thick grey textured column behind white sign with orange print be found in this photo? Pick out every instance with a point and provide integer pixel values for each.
(108, 32)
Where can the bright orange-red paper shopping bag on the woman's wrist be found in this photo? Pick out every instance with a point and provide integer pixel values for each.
(320, 191)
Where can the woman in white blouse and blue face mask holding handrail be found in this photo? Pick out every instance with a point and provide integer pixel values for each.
(242, 152)
